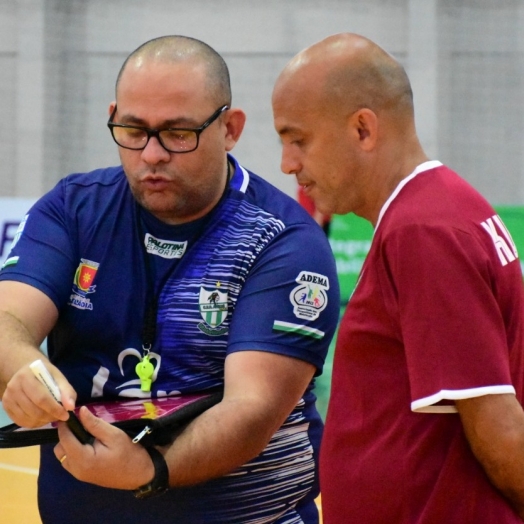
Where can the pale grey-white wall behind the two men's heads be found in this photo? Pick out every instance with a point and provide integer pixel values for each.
(59, 60)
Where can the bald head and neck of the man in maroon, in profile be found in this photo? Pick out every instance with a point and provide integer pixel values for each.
(344, 111)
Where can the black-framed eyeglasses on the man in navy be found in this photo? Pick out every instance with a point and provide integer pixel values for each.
(174, 140)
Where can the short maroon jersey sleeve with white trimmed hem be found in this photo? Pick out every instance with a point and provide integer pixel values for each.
(451, 323)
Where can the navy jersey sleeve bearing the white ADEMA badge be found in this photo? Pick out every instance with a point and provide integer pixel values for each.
(290, 301)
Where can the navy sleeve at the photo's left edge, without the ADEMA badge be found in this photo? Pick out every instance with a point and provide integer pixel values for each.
(42, 253)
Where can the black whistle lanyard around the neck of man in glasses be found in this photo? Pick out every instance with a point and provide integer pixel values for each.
(152, 298)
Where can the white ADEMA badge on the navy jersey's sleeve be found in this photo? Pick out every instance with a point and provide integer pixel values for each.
(309, 298)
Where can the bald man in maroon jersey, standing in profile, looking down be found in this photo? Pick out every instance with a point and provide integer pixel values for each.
(425, 423)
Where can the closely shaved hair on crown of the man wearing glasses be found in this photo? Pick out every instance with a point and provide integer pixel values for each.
(177, 49)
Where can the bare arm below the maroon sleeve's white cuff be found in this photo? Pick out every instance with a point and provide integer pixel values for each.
(495, 431)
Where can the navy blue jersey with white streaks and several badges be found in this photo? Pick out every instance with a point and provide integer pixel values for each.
(255, 274)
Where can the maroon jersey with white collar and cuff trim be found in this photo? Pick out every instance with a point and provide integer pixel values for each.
(437, 315)
